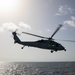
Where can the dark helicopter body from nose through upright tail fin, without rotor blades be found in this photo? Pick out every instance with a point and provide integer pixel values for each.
(44, 44)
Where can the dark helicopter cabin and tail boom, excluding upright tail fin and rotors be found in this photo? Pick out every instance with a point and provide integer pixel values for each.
(44, 44)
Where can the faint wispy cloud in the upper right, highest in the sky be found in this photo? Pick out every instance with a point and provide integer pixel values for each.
(64, 10)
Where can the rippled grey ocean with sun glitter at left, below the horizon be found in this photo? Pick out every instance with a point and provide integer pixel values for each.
(37, 68)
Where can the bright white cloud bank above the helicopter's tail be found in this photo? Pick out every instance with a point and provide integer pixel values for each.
(13, 26)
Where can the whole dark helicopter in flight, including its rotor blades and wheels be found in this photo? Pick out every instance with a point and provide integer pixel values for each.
(46, 43)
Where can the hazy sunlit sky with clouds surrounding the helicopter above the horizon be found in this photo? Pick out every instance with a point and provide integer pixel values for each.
(39, 17)
